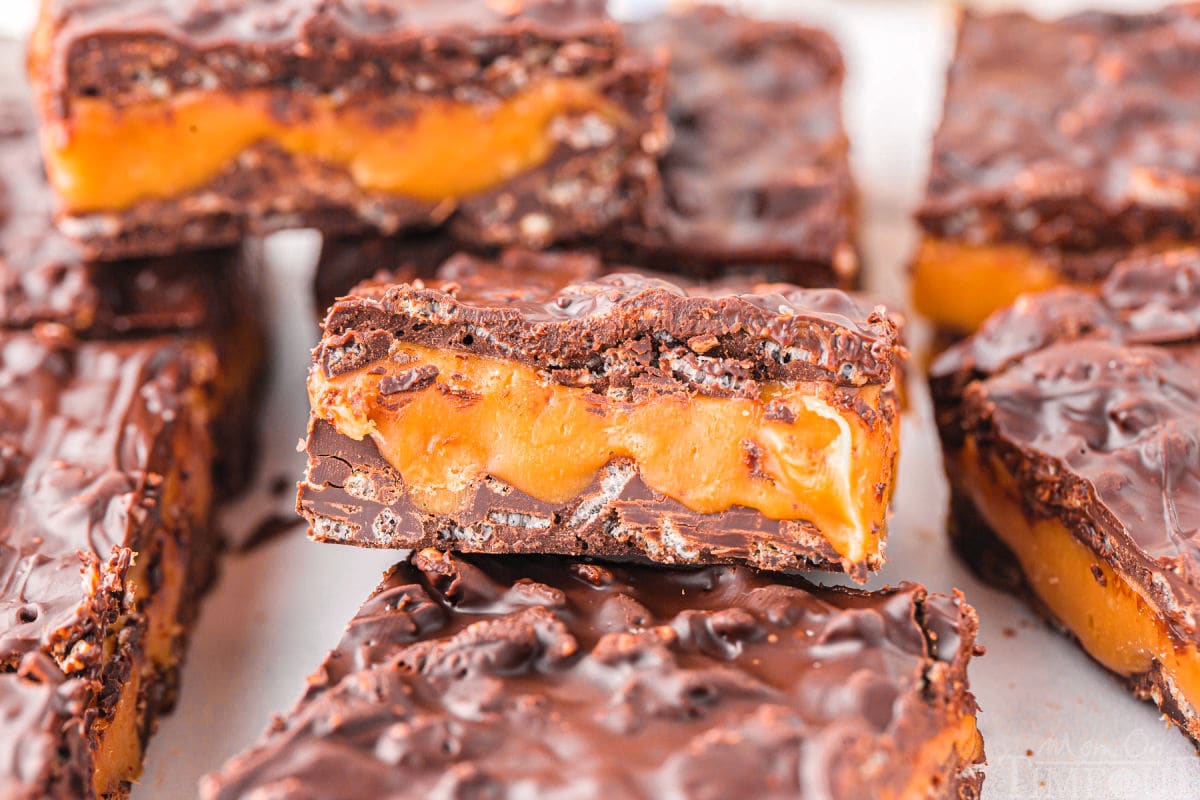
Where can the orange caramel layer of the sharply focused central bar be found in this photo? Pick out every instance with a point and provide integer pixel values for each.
(493, 418)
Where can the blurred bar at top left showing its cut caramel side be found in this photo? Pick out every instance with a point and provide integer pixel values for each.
(172, 125)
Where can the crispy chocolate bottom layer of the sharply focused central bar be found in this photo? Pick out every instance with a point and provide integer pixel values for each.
(617, 516)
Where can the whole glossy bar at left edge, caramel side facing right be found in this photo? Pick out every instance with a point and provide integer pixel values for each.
(106, 546)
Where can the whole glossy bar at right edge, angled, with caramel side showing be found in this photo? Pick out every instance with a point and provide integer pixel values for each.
(1071, 425)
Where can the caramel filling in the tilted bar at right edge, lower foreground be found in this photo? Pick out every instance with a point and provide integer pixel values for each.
(1105, 611)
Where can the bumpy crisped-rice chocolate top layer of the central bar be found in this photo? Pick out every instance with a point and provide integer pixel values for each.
(563, 314)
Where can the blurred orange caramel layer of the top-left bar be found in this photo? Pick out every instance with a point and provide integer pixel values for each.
(106, 158)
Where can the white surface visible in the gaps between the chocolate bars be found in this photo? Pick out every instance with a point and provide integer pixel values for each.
(1054, 724)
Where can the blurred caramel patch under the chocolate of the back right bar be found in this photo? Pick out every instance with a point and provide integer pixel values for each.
(959, 286)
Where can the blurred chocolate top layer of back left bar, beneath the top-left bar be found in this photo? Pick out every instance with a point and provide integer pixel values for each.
(45, 278)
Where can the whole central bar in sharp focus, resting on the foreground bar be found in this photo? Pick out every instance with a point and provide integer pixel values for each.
(542, 404)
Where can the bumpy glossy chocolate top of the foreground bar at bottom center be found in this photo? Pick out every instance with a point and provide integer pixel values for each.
(525, 676)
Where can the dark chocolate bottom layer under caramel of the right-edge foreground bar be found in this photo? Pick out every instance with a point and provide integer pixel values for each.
(992, 560)
